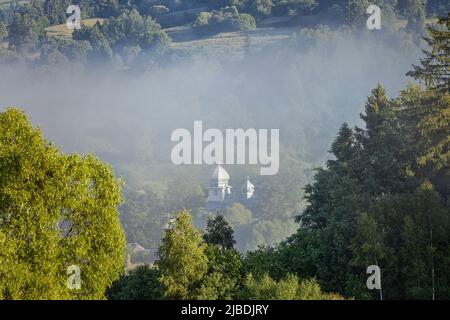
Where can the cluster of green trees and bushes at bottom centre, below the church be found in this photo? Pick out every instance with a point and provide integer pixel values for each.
(190, 268)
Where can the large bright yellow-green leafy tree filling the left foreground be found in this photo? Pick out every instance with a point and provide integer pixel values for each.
(56, 210)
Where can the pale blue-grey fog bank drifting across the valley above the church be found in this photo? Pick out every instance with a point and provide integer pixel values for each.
(305, 90)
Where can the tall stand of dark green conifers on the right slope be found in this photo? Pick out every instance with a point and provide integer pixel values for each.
(382, 199)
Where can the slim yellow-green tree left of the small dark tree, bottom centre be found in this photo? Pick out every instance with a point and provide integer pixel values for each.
(182, 258)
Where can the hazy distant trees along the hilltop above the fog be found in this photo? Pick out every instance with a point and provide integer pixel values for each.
(23, 25)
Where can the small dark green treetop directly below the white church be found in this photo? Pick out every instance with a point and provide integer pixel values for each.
(219, 232)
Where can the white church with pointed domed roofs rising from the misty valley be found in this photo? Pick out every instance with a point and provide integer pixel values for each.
(220, 193)
